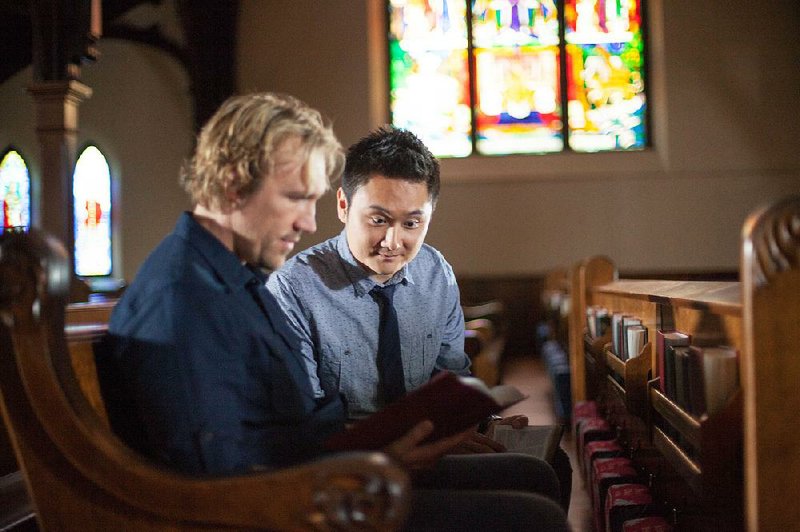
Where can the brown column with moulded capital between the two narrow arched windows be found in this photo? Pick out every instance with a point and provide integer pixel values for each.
(57, 129)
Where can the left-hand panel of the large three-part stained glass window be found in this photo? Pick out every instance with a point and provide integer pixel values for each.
(429, 78)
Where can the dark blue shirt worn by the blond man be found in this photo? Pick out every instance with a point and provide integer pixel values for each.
(201, 371)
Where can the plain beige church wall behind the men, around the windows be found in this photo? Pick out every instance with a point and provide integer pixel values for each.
(724, 86)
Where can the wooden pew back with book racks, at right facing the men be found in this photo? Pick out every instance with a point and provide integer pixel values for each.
(720, 469)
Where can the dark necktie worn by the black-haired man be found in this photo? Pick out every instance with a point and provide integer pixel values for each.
(390, 363)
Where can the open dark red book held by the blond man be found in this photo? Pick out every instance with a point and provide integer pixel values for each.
(451, 402)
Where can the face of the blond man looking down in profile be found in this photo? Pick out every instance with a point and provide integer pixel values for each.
(268, 224)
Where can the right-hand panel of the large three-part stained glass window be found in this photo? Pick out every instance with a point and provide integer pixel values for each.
(605, 66)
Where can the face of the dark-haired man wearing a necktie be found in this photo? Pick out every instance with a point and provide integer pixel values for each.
(385, 222)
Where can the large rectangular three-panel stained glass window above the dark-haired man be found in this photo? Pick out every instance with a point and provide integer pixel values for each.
(500, 77)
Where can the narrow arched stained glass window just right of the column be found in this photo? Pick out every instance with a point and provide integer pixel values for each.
(91, 191)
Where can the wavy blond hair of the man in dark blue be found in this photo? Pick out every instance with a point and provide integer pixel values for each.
(235, 149)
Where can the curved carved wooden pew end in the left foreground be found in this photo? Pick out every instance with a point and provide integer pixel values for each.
(81, 477)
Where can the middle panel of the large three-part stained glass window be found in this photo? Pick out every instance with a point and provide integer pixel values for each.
(517, 76)
